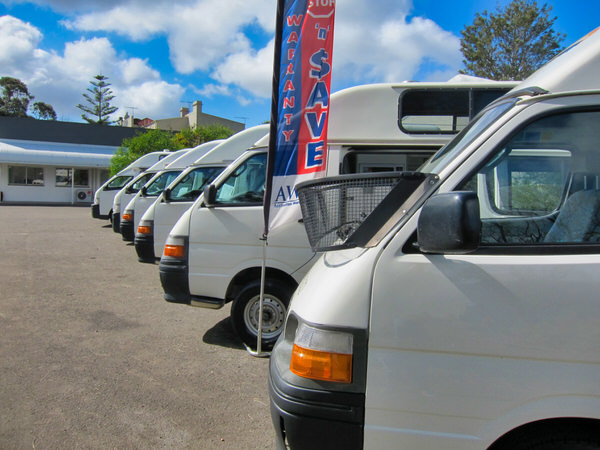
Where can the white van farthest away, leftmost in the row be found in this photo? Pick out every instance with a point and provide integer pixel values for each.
(103, 198)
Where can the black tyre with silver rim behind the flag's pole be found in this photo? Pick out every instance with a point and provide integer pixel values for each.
(245, 310)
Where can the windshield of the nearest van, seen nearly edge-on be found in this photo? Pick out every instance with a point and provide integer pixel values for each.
(468, 135)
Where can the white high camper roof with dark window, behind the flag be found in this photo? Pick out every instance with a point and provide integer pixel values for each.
(409, 112)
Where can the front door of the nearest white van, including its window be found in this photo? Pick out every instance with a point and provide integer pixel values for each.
(463, 348)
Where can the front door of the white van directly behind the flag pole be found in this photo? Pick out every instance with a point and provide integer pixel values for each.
(225, 238)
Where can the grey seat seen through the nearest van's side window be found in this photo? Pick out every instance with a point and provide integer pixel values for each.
(578, 220)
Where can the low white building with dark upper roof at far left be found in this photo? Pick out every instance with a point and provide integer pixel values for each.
(44, 161)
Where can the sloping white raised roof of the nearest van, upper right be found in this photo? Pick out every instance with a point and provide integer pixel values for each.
(575, 69)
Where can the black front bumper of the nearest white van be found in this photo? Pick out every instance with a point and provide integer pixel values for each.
(308, 418)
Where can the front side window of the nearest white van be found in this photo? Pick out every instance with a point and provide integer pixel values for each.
(541, 187)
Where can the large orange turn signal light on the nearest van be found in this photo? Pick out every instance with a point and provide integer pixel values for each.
(321, 365)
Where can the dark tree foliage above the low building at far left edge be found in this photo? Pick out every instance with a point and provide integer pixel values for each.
(15, 100)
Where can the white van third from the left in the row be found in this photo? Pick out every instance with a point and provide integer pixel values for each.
(155, 185)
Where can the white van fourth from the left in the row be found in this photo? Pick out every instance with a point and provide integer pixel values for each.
(159, 218)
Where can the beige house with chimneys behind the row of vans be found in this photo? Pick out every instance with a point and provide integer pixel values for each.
(187, 119)
